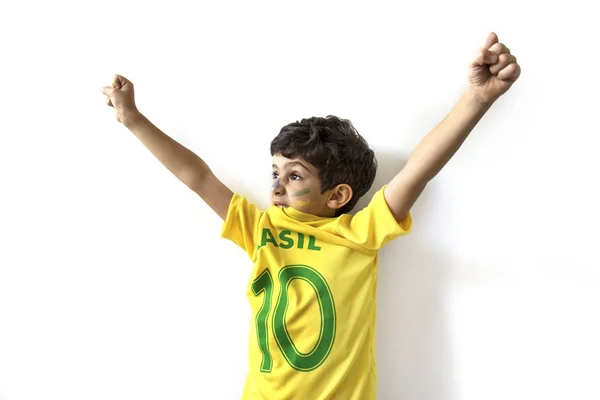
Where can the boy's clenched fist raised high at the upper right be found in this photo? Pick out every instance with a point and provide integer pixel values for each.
(492, 71)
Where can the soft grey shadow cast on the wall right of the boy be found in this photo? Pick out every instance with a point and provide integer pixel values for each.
(413, 344)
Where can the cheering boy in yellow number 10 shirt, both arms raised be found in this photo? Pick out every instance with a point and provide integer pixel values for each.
(313, 285)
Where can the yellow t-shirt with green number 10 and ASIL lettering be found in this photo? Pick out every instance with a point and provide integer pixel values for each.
(313, 296)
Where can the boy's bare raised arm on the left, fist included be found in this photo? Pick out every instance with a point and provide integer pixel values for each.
(183, 163)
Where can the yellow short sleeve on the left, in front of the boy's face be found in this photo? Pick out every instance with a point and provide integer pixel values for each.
(241, 224)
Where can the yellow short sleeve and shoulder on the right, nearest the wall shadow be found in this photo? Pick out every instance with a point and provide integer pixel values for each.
(373, 226)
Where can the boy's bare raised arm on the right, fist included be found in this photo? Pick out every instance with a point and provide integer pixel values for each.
(491, 73)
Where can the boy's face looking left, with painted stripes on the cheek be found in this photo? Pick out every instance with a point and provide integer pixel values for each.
(296, 184)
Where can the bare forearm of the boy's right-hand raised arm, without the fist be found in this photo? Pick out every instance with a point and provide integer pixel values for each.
(438, 147)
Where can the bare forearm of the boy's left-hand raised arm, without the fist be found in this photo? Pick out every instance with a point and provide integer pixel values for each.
(182, 162)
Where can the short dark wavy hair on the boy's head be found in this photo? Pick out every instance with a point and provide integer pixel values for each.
(336, 148)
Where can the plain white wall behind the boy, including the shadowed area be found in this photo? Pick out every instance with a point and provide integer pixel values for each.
(114, 283)
